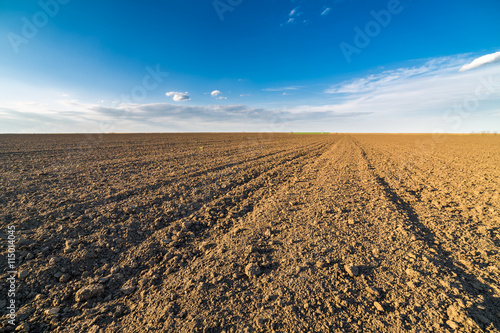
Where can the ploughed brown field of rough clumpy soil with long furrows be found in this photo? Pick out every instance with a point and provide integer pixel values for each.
(253, 232)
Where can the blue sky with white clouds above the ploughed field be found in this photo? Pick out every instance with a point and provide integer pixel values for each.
(240, 65)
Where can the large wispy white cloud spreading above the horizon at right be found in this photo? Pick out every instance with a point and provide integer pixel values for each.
(428, 91)
